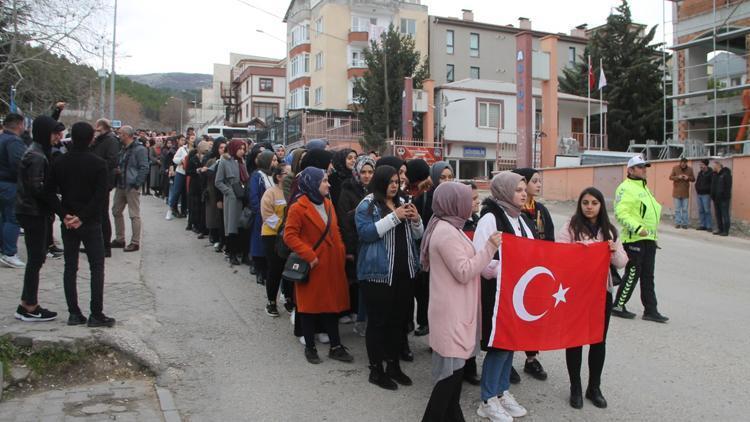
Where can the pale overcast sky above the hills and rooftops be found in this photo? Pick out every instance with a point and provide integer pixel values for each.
(155, 36)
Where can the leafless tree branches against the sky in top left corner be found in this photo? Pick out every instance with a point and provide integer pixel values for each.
(66, 28)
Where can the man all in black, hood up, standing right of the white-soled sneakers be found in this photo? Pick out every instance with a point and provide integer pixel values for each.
(80, 178)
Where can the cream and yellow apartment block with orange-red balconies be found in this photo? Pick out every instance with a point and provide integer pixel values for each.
(326, 40)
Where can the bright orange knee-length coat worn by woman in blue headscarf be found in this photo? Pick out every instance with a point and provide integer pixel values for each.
(327, 289)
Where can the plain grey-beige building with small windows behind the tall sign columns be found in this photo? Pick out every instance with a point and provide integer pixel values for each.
(466, 49)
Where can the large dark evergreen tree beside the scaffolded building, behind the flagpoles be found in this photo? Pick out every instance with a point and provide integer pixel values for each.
(634, 89)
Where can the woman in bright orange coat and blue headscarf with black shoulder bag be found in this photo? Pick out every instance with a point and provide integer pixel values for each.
(325, 294)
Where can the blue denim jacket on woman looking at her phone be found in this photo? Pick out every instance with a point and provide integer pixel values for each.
(373, 258)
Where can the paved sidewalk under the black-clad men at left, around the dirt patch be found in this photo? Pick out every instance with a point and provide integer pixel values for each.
(129, 301)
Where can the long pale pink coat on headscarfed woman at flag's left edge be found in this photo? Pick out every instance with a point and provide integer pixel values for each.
(453, 310)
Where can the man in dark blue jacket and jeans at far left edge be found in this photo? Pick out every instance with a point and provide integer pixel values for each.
(12, 147)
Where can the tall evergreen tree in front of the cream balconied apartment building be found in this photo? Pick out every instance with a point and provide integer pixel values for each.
(401, 60)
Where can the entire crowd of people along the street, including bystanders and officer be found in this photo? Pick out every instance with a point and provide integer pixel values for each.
(337, 238)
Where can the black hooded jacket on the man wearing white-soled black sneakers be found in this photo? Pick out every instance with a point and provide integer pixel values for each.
(32, 197)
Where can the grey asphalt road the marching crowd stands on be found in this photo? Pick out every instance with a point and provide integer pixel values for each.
(229, 361)
